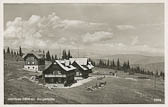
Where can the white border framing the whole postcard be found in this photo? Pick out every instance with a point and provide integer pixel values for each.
(82, 1)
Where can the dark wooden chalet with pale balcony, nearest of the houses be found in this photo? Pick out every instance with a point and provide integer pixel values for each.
(59, 72)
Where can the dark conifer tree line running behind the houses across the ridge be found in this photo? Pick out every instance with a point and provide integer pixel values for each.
(111, 64)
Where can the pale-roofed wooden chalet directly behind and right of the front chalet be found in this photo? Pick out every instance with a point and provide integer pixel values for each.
(83, 67)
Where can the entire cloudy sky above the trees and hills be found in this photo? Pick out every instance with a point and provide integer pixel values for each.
(93, 28)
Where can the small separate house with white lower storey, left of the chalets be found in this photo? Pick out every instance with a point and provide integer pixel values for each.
(34, 61)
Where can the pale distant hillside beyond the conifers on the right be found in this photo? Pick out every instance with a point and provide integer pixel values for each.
(152, 63)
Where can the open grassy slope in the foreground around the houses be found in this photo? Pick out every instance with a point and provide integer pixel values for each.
(117, 91)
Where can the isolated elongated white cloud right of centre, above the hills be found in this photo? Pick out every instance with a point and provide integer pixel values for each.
(97, 36)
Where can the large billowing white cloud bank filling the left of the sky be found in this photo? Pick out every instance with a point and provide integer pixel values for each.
(41, 32)
